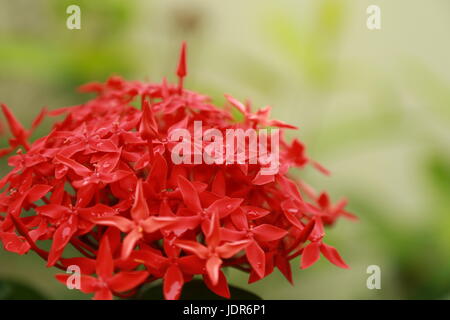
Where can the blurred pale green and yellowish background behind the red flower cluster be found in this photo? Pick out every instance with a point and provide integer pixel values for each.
(372, 106)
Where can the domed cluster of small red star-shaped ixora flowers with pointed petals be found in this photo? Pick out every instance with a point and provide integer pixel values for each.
(104, 182)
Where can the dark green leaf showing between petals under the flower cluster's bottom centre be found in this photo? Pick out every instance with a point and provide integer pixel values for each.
(196, 290)
